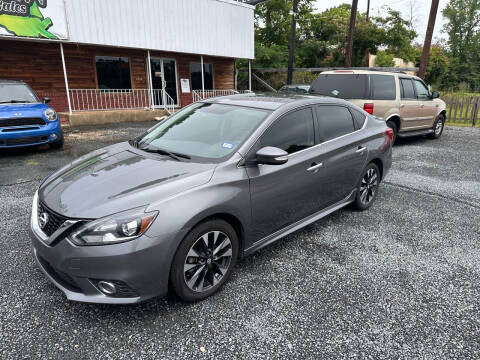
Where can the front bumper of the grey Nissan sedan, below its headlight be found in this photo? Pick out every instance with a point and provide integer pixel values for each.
(141, 265)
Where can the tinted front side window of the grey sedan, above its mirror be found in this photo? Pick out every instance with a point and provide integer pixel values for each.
(291, 133)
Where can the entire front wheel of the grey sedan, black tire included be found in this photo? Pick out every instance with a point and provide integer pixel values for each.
(204, 260)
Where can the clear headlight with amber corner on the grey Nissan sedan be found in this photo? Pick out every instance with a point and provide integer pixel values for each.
(113, 229)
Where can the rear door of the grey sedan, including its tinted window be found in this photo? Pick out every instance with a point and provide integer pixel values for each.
(344, 151)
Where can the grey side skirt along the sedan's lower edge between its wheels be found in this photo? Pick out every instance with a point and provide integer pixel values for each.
(300, 224)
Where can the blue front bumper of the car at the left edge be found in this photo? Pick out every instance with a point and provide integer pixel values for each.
(36, 135)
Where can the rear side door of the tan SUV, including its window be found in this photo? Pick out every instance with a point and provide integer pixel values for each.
(409, 105)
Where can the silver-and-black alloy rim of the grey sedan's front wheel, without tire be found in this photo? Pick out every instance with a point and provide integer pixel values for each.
(207, 261)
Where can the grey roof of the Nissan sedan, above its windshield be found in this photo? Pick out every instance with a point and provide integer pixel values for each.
(272, 101)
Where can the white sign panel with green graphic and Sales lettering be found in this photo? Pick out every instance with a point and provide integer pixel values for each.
(33, 18)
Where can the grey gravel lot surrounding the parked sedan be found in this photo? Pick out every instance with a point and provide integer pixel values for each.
(397, 281)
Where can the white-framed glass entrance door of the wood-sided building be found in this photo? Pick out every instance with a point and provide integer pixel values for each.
(164, 76)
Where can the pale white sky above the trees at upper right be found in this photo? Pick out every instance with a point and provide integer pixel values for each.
(421, 7)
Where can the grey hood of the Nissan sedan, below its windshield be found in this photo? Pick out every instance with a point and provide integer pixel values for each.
(118, 178)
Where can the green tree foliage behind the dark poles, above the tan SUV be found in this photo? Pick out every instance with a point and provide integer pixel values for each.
(321, 37)
